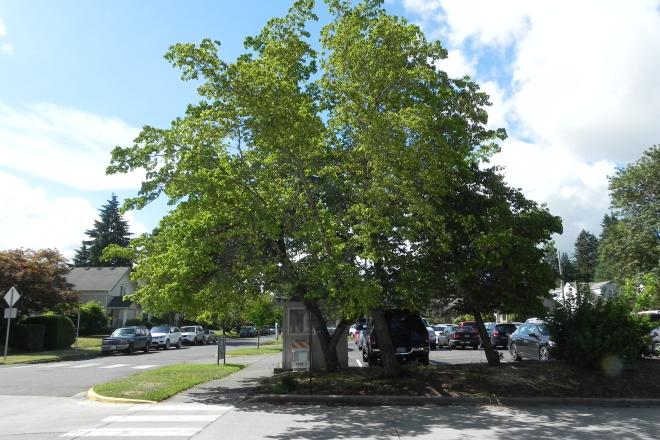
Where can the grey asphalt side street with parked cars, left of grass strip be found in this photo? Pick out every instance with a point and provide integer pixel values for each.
(67, 378)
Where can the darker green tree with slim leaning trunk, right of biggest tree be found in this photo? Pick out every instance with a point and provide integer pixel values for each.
(495, 258)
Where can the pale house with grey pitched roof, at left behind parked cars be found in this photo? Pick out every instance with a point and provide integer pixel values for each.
(107, 286)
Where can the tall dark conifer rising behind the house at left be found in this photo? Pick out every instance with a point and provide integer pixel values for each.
(110, 229)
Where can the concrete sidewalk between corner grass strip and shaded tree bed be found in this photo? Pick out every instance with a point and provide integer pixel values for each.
(234, 388)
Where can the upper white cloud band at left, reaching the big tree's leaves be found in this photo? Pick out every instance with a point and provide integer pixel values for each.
(64, 145)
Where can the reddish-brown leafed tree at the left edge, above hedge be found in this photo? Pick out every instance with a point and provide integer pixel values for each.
(39, 277)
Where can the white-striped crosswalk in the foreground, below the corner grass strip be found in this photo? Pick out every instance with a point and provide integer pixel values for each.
(154, 421)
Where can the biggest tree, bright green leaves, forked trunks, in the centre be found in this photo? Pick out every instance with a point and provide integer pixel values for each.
(308, 174)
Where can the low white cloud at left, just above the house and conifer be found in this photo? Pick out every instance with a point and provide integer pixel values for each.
(32, 218)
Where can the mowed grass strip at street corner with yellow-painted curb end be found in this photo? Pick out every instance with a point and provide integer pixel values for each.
(164, 382)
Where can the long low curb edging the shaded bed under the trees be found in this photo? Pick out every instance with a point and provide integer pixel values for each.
(309, 399)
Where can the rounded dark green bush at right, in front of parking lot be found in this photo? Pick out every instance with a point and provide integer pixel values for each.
(593, 331)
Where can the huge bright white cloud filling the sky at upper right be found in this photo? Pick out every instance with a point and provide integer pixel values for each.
(580, 85)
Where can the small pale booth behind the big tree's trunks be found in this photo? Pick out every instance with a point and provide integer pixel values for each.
(298, 341)
